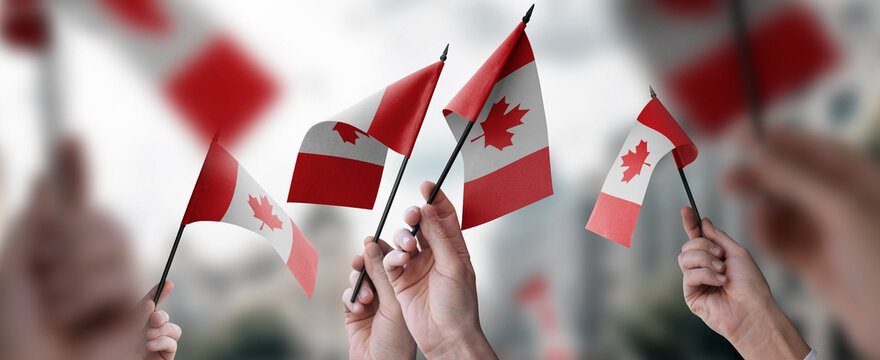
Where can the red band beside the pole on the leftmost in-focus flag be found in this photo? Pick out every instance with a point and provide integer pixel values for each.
(214, 188)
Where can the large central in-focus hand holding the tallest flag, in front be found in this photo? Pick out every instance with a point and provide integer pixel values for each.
(435, 283)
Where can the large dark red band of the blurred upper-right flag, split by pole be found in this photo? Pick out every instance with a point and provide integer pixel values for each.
(788, 50)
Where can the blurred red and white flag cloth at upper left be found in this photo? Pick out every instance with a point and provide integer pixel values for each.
(199, 68)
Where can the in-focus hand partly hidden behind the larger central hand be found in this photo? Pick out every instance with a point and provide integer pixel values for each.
(374, 322)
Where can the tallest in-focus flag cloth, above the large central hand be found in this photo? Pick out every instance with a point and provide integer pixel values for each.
(507, 158)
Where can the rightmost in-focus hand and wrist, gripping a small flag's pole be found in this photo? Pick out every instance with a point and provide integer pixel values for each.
(724, 287)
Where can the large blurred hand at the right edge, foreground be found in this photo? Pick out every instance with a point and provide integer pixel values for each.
(815, 206)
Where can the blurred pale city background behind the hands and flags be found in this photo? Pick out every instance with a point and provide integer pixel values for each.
(547, 287)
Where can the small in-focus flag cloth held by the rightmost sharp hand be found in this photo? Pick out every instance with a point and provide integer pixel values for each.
(654, 135)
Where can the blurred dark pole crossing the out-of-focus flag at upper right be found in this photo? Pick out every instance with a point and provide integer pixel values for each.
(747, 69)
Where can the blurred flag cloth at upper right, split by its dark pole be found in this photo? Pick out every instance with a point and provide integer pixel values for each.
(692, 47)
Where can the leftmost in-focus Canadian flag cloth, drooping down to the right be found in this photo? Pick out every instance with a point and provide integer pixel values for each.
(225, 192)
